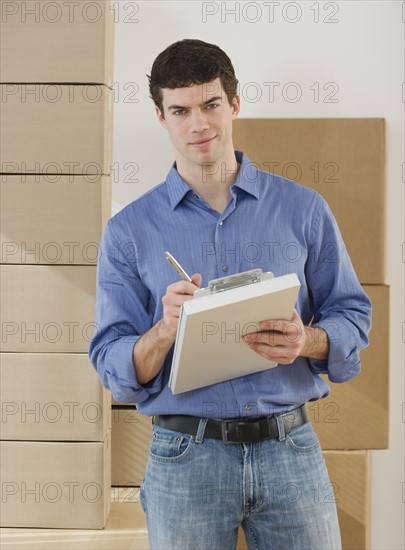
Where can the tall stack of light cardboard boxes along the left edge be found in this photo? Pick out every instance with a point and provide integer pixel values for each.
(55, 158)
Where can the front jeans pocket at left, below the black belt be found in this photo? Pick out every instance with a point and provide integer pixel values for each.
(169, 446)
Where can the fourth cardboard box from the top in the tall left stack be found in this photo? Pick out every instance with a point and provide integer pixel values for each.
(47, 308)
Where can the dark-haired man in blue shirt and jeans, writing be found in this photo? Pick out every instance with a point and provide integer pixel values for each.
(241, 452)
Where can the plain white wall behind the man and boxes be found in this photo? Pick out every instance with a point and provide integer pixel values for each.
(360, 53)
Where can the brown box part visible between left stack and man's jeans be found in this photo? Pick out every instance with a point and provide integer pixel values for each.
(131, 433)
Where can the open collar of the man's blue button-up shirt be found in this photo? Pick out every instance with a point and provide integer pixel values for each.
(247, 180)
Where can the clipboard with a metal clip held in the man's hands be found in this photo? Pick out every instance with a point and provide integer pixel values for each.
(209, 348)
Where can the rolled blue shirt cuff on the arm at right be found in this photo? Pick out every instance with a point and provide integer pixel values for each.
(343, 361)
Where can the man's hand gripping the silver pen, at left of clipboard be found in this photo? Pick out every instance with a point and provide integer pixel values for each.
(176, 294)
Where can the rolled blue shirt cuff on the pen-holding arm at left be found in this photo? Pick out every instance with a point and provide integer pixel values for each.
(121, 375)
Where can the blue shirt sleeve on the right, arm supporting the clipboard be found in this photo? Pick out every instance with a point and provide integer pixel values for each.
(340, 305)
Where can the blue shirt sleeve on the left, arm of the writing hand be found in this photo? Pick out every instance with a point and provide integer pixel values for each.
(122, 316)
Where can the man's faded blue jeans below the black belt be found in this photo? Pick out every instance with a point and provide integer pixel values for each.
(197, 491)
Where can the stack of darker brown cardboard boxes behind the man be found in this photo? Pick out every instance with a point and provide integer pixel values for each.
(343, 159)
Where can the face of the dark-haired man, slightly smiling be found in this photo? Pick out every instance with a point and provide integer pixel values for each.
(199, 121)
